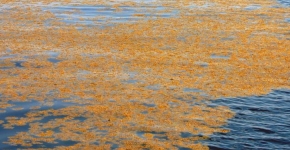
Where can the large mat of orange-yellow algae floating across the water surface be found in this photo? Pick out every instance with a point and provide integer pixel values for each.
(139, 85)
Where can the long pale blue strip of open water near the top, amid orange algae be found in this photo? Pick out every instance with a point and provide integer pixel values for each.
(106, 15)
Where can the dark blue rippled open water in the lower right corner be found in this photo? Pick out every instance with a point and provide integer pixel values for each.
(261, 122)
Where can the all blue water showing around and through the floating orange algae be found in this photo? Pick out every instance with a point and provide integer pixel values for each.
(260, 122)
